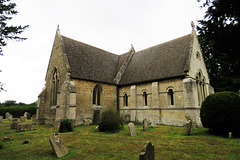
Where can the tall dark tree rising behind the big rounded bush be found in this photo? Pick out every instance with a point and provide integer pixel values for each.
(219, 35)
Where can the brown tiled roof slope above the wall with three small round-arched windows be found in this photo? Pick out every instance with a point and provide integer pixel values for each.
(167, 60)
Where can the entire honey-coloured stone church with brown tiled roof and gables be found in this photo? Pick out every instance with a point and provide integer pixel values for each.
(163, 83)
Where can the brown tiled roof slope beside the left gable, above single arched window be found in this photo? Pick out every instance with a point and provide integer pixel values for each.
(90, 63)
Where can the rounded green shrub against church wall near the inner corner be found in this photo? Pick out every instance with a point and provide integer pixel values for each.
(110, 121)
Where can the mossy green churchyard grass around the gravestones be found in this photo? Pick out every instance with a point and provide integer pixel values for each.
(84, 143)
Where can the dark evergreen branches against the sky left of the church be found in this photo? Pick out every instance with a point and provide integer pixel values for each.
(7, 10)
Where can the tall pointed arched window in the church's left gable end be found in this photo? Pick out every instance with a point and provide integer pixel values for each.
(55, 85)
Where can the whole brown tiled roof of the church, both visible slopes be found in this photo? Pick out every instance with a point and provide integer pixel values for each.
(170, 59)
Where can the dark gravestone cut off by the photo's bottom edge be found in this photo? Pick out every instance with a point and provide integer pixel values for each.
(147, 152)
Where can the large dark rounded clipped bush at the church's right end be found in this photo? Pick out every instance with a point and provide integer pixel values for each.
(220, 112)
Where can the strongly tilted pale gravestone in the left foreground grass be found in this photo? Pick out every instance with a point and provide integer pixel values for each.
(58, 146)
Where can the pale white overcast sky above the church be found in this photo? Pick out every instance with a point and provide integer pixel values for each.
(107, 24)
